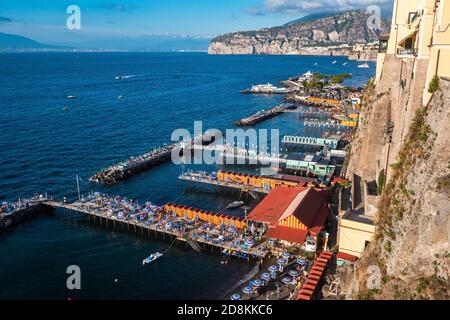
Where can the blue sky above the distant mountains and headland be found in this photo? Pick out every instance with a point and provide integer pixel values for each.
(45, 20)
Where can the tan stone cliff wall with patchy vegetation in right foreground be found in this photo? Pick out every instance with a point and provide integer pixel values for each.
(411, 143)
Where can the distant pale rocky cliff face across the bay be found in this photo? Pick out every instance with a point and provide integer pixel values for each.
(344, 28)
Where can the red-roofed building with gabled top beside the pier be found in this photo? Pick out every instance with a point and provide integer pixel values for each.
(292, 213)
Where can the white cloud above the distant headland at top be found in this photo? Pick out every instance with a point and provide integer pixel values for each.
(308, 6)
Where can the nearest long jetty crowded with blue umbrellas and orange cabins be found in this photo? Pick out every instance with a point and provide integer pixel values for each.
(197, 228)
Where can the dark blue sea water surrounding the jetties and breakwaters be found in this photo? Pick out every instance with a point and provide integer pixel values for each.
(46, 140)
